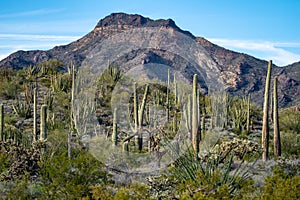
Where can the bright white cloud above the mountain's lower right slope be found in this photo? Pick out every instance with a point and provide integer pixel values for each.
(264, 50)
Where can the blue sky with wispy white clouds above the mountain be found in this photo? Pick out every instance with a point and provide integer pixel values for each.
(265, 29)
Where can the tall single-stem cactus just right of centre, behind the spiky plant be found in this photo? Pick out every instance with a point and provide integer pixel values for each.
(195, 135)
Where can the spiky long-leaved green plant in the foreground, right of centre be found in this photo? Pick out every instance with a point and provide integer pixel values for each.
(209, 173)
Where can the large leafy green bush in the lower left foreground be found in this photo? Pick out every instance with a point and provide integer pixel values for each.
(71, 179)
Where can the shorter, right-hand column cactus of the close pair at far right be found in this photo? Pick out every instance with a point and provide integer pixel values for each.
(277, 145)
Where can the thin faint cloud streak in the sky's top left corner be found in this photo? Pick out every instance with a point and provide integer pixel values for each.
(30, 13)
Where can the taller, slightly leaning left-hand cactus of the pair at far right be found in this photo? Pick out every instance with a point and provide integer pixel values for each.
(265, 128)
